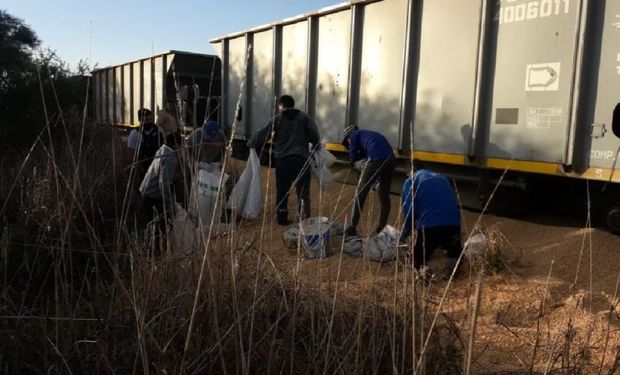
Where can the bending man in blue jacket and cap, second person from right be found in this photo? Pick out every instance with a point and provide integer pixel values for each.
(366, 144)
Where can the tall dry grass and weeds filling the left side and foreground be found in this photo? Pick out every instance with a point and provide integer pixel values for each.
(82, 293)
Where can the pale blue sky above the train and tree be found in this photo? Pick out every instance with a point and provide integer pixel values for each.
(111, 32)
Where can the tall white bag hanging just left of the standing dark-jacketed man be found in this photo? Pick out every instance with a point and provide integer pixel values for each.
(246, 196)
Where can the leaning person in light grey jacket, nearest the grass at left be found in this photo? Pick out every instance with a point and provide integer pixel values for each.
(158, 197)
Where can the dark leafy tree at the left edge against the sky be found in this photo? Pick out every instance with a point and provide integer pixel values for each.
(36, 86)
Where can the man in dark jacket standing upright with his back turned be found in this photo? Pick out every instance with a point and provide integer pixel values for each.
(292, 131)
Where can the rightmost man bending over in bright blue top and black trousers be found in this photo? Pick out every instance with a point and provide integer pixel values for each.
(430, 206)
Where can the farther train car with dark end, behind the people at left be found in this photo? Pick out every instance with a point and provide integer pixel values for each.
(183, 82)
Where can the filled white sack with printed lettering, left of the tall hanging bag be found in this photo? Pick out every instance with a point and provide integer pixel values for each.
(206, 190)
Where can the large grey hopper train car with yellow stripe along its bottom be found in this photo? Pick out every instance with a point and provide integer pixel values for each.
(474, 87)
